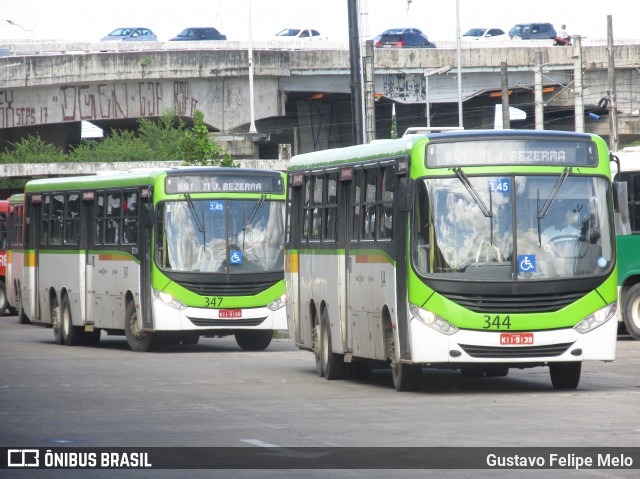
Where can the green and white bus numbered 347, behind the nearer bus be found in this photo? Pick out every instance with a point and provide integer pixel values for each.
(161, 255)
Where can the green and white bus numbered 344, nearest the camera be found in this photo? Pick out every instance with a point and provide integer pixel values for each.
(443, 251)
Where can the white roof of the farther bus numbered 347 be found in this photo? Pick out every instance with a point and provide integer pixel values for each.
(137, 177)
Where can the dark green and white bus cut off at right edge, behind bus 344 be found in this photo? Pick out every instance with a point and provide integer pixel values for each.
(628, 242)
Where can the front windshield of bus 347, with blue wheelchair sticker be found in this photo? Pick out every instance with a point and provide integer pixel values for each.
(220, 236)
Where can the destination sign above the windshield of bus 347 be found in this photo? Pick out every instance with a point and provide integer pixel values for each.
(224, 184)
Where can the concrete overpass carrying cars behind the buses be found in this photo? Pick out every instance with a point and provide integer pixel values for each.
(302, 94)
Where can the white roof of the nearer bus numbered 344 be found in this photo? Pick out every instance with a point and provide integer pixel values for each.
(402, 146)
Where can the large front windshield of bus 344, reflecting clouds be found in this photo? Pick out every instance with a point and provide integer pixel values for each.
(464, 227)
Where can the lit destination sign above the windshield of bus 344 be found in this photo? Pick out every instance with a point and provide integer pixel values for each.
(512, 152)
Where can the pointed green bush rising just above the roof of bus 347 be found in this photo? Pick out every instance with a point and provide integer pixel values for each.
(198, 149)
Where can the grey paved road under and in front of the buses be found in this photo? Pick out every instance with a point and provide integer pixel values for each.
(214, 394)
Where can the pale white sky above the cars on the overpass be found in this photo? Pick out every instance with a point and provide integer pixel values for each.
(81, 20)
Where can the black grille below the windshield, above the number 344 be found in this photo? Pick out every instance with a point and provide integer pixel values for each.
(536, 303)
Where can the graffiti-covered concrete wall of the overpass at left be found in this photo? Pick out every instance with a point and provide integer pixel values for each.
(98, 101)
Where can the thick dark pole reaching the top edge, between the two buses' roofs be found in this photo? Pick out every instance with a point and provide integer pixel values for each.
(355, 62)
